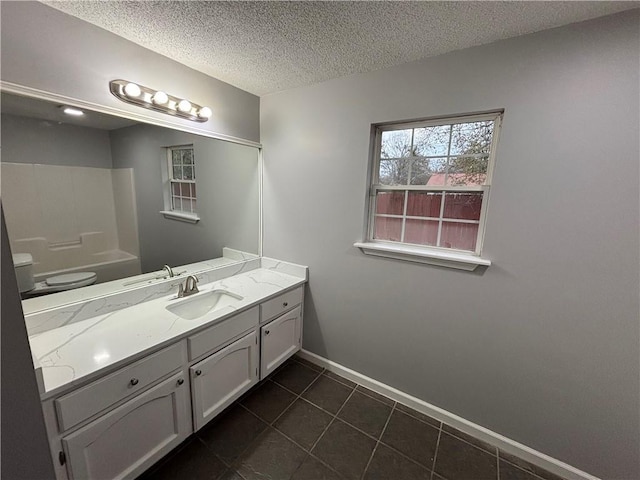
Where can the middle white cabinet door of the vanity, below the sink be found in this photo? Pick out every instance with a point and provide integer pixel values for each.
(222, 377)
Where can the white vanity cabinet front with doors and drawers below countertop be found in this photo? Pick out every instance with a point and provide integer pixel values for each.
(123, 422)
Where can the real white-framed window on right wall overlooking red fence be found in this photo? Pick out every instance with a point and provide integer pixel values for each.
(430, 185)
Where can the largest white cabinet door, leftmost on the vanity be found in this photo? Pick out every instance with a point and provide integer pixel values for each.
(127, 440)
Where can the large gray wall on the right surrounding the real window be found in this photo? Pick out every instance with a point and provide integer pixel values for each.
(542, 347)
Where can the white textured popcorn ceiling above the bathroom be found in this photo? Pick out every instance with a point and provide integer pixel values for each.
(264, 47)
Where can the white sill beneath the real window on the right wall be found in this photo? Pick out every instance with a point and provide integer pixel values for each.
(408, 253)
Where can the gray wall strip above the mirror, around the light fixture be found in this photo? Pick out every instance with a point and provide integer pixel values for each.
(49, 50)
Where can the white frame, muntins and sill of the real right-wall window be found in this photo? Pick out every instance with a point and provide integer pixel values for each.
(441, 256)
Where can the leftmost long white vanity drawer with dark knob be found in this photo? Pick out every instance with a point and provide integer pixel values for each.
(81, 404)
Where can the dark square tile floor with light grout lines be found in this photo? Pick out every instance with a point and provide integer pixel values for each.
(304, 423)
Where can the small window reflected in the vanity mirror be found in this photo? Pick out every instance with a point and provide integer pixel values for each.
(180, 201)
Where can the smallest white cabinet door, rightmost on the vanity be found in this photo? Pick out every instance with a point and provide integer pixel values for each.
(280, 340)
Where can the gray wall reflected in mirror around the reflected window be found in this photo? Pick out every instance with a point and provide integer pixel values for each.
(227, 196)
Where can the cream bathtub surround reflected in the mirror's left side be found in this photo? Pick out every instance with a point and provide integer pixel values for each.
(66, 218)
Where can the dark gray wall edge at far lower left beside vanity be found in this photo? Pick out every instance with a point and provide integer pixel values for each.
(25, 452)
